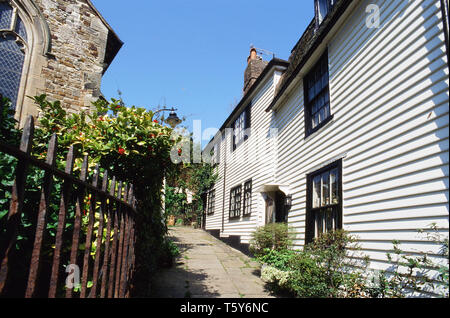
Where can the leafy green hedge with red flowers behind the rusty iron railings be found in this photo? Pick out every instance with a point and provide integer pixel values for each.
(126, 141)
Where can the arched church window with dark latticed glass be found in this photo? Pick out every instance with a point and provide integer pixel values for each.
(13, 42)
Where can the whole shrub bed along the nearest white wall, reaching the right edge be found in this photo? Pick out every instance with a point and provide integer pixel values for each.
(332, 266)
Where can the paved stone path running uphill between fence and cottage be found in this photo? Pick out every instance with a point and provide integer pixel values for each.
(208, 268)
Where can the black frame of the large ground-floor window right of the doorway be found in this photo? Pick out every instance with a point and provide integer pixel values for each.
(312, 211)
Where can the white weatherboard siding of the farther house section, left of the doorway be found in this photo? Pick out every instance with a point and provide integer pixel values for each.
(253, 159)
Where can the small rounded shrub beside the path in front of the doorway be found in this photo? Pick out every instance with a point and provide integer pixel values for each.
(272, 236)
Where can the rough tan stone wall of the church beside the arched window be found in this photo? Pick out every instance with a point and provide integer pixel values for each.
(72, 70)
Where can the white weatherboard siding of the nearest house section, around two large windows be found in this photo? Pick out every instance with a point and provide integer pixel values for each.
(389, 97)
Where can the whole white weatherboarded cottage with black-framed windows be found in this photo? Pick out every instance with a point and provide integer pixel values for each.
(352, 133)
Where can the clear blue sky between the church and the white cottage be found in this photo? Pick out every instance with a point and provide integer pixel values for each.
(192, 54)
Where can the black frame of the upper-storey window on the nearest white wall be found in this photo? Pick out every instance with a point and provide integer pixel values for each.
(324, 92)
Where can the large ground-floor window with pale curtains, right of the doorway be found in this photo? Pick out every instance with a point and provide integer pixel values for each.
(324, 201)
